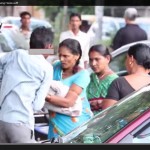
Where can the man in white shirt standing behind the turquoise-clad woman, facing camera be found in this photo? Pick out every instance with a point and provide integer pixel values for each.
(75, 33)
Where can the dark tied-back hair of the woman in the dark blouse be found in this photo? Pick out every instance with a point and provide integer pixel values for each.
(141, 53)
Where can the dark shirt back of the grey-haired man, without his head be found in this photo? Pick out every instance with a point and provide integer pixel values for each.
(128, 34)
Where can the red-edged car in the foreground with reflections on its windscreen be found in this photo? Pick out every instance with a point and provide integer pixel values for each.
(128, 121)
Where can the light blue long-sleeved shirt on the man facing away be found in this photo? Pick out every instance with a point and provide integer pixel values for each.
(23, 78)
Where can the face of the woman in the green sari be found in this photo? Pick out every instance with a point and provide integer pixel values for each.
(98, 62)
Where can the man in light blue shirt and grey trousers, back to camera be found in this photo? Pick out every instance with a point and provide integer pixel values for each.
(24, 83)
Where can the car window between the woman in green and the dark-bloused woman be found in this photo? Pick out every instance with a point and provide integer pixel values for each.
(118, 63)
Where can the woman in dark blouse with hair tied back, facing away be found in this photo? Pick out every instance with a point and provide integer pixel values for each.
(138, 67)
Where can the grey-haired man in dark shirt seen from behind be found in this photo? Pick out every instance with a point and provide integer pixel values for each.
(131, 32)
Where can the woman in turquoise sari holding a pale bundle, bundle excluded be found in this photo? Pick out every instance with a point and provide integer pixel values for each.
(68, 71)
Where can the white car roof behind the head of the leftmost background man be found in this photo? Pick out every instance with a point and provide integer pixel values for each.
(34, 22)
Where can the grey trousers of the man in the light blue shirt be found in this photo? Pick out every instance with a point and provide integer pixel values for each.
(15, 133)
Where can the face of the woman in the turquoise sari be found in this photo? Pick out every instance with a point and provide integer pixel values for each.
(67, 59)
